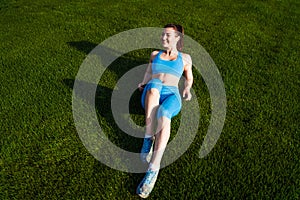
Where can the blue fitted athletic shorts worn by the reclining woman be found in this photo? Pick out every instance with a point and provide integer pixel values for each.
(169, 101)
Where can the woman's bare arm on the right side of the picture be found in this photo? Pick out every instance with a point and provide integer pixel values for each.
(188, 73)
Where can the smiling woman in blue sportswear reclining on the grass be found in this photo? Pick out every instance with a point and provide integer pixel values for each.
(161, 99)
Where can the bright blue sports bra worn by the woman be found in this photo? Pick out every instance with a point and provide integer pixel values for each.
(174, 67)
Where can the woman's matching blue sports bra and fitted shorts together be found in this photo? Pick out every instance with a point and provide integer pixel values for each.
(170, 99)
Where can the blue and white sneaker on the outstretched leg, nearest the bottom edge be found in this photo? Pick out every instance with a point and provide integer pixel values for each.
(145, 187)
